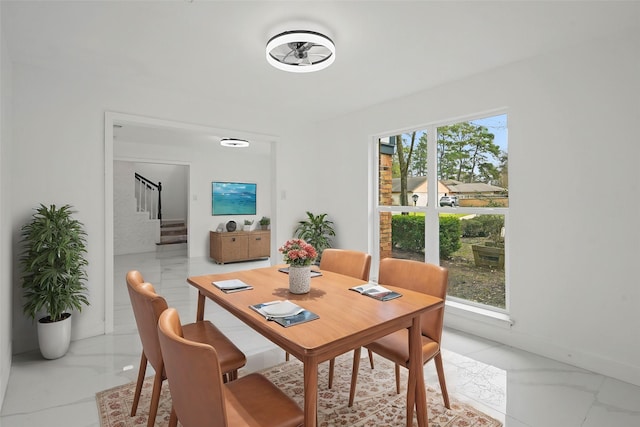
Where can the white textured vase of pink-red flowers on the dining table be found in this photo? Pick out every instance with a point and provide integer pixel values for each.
(299, 255)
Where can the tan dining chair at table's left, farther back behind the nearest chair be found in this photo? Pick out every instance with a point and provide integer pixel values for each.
(147, 307)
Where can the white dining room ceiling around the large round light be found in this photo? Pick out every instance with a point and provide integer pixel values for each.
(216, 49)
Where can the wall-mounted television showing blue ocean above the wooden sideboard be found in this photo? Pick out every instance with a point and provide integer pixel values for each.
(233, 198)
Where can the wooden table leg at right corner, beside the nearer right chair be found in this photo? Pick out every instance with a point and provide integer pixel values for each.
(416, 393)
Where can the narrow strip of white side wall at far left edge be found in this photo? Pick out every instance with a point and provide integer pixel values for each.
(6, 231)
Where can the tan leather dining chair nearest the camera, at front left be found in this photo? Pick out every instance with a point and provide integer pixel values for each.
(199, 396)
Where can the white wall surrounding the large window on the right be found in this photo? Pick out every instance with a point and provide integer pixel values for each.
(574, 293)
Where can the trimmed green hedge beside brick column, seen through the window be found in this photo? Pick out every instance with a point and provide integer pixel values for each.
(408, 234)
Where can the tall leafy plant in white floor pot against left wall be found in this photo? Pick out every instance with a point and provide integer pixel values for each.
(53, 275)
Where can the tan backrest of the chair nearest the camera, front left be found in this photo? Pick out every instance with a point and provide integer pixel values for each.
(194, 374)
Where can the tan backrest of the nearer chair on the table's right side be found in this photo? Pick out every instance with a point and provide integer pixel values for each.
(418, 276)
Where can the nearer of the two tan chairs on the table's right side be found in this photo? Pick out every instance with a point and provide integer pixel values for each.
(421, 277)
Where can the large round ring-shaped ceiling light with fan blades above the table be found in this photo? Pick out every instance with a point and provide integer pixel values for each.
(301, 51)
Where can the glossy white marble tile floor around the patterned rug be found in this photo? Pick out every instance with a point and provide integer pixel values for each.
(514, 386)
